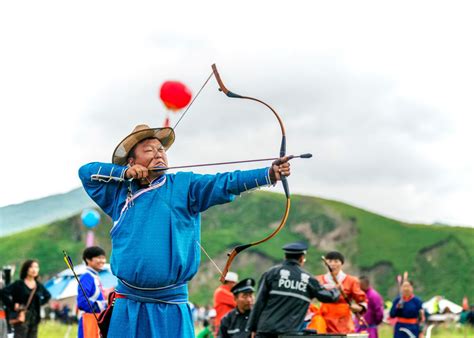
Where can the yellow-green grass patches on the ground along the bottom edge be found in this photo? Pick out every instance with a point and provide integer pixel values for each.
(49, 329)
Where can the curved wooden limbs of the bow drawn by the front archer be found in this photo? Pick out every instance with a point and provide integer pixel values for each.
(284, 181)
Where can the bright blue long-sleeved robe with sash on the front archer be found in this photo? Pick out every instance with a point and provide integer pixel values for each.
(155, 242)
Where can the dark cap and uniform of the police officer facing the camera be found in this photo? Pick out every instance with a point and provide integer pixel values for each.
(233, 324)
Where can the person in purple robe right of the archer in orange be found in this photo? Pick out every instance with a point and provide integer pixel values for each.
(374, 314)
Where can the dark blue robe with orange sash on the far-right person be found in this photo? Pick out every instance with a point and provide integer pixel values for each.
(409, 312)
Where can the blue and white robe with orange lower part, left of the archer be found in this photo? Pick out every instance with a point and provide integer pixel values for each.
(90, 281)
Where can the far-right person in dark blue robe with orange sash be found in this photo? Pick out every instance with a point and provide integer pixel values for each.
(408, 310)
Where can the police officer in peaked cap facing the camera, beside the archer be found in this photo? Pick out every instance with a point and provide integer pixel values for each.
(233, 324)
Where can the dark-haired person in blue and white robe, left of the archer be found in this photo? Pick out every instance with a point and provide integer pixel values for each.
(94, 257)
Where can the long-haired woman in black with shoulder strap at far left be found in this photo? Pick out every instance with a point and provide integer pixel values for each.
(16, 297)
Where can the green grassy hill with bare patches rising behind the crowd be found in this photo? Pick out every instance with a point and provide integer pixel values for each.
(439, 258)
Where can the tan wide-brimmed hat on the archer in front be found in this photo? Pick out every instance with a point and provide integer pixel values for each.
(142, 131)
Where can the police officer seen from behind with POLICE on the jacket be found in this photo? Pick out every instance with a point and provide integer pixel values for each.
(285, 292)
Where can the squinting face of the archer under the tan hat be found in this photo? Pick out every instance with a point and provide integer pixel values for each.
(149, 153)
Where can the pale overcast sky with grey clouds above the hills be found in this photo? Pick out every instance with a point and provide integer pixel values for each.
(380, 93)
